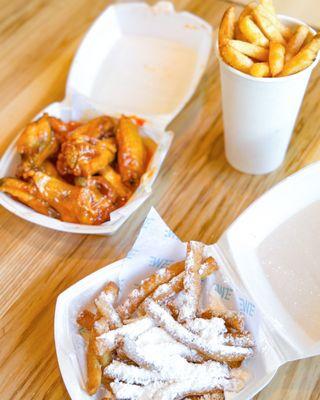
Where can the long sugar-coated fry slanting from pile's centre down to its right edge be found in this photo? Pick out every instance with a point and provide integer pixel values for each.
(219, 353)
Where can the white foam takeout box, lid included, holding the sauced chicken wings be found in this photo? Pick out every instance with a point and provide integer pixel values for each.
(135, 60)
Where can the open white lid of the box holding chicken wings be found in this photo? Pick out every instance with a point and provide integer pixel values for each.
(141, 60)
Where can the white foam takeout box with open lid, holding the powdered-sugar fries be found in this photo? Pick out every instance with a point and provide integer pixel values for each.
(268, 271)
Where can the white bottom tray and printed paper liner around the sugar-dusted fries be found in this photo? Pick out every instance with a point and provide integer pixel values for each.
(156, 247)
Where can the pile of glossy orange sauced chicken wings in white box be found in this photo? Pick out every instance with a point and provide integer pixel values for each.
(79, 172)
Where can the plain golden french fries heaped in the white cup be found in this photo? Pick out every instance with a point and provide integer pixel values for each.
(260, 45)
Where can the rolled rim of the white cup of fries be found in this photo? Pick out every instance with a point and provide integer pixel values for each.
(273, 79)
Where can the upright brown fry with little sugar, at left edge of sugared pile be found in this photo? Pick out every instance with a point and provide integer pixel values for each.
(94, 372)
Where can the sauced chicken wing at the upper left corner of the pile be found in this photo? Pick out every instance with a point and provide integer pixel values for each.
(38, 142)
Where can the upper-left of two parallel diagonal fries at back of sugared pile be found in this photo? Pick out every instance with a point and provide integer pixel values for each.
(147, 286)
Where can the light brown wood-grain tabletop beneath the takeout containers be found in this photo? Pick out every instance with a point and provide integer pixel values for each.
(197, 192)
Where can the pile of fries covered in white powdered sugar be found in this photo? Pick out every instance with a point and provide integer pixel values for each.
(158, 343)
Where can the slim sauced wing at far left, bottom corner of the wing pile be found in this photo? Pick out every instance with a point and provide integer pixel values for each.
(27, 194)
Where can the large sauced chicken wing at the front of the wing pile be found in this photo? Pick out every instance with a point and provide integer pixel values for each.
(85, 205)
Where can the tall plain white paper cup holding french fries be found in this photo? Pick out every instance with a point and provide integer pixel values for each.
(259, 114)
